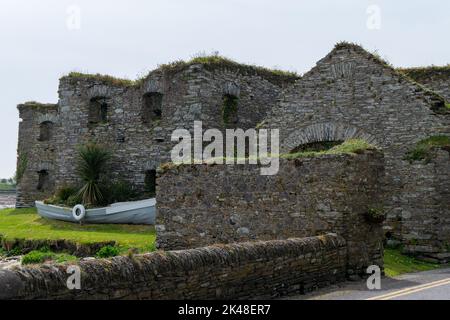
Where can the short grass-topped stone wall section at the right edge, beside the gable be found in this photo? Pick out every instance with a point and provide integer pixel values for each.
(425, 216)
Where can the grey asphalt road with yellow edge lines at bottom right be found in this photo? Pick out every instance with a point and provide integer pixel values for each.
(427, 285)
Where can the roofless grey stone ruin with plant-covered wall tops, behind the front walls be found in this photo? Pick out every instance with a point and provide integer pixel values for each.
(350, 93)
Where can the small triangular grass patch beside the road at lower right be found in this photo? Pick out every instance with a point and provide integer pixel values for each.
(396, 263)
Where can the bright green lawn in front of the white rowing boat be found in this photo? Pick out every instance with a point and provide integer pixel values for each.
(27, 224)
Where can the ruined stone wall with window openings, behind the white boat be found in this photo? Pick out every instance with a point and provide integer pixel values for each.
(189, 94)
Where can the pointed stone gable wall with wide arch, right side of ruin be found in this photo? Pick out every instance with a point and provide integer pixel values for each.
(352, 94)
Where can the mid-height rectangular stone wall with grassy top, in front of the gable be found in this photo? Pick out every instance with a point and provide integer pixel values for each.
(203, 204)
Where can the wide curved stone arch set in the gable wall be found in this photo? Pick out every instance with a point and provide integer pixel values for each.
(324, 132)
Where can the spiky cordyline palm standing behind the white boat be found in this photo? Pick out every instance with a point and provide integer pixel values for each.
(92, 162)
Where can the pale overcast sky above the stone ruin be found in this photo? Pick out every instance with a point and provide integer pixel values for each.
(42, 40)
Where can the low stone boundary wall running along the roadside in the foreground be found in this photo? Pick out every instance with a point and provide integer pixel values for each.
(247, 270)
